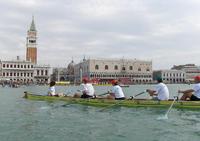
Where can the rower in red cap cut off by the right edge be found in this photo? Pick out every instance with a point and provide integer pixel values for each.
(194, 93)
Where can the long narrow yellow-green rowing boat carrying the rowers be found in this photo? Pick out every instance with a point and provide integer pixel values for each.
(101, 102)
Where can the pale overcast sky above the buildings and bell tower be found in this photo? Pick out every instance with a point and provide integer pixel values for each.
(166, 32)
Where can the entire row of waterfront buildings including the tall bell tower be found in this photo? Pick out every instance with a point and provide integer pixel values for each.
(100, 71)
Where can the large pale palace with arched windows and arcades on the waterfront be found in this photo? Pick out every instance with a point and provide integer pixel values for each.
(102, 71)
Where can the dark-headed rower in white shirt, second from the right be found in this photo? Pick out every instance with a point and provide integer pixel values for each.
(160, 92)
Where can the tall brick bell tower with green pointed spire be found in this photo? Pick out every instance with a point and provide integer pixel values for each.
(31, 42)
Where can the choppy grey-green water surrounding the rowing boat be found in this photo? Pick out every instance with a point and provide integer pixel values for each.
(25, 120)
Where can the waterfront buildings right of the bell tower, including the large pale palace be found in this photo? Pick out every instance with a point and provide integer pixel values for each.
(128, 71)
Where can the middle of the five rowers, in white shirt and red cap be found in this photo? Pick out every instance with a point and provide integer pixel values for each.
(116, 91)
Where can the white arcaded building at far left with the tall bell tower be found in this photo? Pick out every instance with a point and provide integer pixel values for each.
(25, 71)
